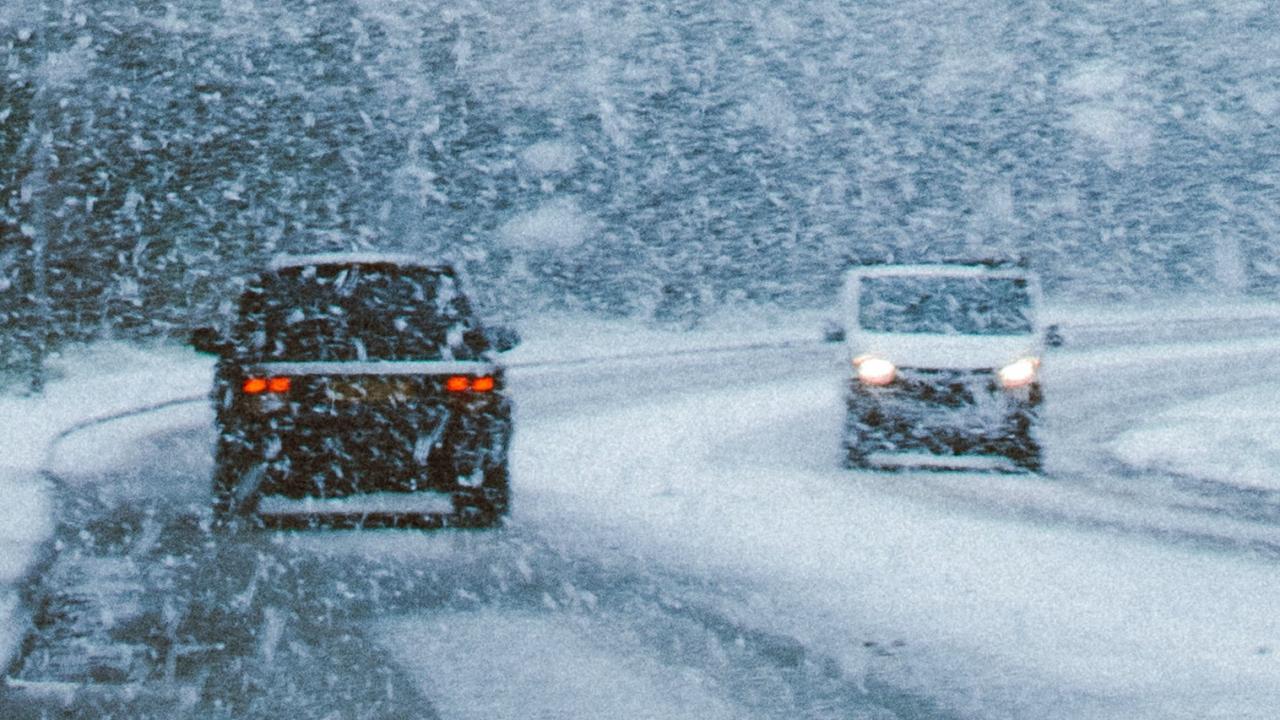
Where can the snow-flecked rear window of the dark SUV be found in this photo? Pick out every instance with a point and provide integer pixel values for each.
(342, 313)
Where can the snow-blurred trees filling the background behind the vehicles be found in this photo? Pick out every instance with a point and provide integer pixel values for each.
(642, 158)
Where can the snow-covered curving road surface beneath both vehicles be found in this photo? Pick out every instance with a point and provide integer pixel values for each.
(685, 545)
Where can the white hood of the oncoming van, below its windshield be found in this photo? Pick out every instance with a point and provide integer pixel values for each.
(953, 353)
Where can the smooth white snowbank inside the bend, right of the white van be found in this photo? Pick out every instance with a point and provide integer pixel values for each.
(1232, 439)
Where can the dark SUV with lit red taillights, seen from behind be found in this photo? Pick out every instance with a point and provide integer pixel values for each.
(360, 389)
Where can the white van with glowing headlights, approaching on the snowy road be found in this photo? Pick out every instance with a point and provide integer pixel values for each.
(944, 363)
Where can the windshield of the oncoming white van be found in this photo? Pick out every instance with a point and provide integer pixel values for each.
(945, 306)
